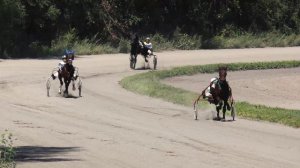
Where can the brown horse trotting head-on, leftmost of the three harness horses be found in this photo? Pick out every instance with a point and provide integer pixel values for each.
(66, 73)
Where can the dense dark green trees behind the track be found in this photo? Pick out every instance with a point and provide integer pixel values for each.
(27, 25)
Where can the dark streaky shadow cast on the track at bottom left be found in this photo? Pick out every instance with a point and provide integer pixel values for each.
(44, 154)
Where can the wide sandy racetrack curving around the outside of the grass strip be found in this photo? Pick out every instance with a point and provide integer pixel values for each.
(111, 127)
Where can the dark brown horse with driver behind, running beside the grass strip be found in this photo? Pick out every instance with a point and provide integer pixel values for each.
(221, 93)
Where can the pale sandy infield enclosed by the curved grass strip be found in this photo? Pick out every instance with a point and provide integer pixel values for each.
(275, 88)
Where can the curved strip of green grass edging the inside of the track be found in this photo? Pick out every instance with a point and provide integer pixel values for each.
(149, 84)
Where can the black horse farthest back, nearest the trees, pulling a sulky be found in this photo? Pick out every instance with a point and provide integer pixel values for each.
(137, 47)
